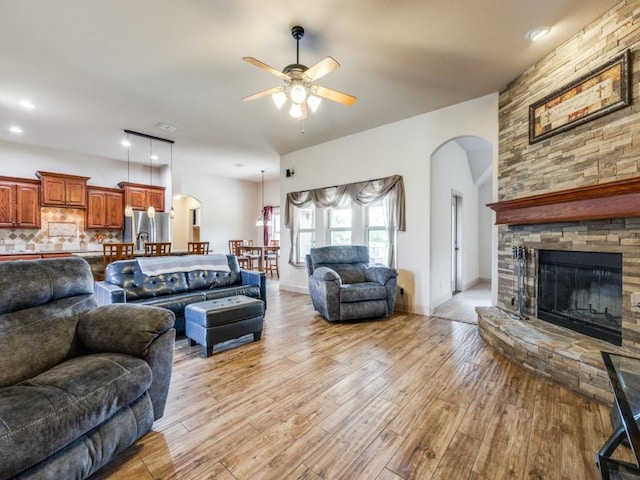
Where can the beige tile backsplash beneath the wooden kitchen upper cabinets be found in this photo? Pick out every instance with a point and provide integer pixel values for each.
(61, 229)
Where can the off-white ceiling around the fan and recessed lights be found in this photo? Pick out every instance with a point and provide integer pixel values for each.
(94, 68)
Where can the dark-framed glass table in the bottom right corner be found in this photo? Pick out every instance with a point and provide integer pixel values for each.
(624, 376)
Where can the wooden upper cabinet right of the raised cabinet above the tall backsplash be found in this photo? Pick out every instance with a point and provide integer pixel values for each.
(105, 208)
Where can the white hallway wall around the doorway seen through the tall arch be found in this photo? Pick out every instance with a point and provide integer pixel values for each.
(450, 173)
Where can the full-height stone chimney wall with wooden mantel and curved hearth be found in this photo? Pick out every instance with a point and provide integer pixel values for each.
(577, 190)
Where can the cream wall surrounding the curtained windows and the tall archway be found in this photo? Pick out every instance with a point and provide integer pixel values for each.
(402, 148)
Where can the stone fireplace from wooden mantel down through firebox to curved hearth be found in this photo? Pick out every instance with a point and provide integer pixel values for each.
(593, 270)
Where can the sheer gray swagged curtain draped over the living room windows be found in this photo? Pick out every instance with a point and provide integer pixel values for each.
(389, 190)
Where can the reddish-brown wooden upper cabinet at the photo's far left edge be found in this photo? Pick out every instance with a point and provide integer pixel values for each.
(19, 207)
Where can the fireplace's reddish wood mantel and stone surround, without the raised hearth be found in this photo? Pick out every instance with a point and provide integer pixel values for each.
(597, 226)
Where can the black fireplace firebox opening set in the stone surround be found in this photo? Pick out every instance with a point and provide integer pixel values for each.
(582, 291)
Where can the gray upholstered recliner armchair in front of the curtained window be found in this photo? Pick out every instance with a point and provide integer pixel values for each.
(345, 286)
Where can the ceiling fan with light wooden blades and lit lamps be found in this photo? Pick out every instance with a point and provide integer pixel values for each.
(299, 86)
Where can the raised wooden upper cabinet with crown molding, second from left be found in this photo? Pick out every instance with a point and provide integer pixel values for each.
(61, 190)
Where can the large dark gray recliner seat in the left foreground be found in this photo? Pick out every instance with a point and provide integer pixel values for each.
(78, 383)
